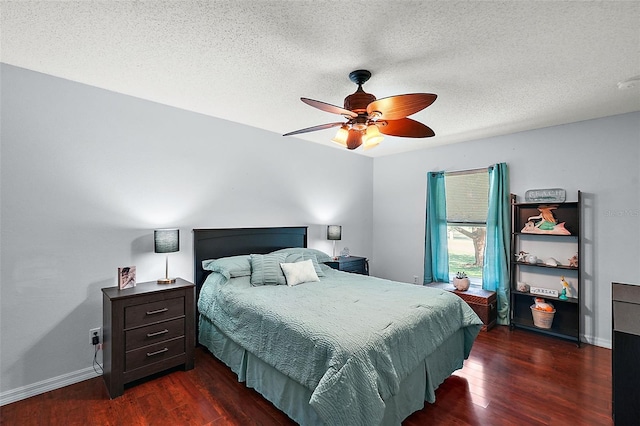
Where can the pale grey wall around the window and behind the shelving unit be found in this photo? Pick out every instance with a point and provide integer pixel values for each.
(599, 157)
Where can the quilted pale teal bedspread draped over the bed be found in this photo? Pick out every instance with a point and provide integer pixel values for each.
(351, 339)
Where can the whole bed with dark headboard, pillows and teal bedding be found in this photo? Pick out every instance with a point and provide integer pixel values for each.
(342, 349)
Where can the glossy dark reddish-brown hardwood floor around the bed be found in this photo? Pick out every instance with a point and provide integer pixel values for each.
(511, 378)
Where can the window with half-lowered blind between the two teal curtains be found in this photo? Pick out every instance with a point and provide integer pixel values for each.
(467, 195)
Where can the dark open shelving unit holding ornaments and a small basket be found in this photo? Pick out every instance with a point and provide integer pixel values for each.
(566, 321)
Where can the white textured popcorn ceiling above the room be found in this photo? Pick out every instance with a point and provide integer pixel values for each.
(497, 67)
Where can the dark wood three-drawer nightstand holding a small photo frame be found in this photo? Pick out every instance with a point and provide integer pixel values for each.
(146, 329)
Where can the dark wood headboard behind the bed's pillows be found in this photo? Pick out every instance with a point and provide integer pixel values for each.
(217, 243)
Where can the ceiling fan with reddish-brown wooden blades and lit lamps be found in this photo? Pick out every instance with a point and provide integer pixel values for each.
(368, 118)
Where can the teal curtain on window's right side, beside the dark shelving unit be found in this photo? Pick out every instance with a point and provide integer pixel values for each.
(495, 271)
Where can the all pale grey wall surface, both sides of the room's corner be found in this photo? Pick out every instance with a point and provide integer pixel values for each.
(87, 174)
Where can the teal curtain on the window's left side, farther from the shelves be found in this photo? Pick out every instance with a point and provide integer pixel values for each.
(436, 253)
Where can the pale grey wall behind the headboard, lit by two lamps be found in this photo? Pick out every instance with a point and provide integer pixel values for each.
(87, 174)
